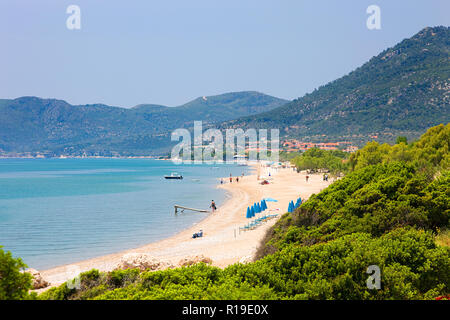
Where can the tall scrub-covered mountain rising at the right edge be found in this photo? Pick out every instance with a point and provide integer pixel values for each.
(402, 91)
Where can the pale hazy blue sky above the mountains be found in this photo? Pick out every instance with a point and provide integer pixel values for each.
(170, 52)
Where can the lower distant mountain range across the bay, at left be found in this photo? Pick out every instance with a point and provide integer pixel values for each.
(31, 124)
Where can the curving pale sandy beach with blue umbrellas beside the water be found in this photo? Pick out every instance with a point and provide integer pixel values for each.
(221, 241)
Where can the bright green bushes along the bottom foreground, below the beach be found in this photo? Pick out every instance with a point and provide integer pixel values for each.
(413, 267)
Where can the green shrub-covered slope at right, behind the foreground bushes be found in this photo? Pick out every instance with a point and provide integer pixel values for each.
(389, 187)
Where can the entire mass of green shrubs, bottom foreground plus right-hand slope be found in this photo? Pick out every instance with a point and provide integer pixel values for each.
(386, 212)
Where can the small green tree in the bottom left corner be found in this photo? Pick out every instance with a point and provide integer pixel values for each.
(14, 284)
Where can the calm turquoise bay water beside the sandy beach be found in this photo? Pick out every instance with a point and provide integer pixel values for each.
(58, 211)
